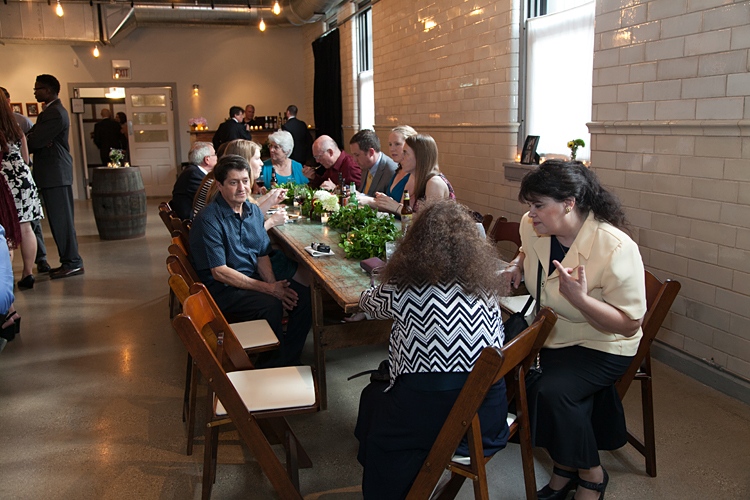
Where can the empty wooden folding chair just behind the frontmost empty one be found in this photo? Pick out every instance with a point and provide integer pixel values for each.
(254, 337)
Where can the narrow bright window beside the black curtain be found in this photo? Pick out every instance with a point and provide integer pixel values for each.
(363, 65)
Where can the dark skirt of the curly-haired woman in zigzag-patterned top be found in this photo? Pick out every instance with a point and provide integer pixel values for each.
(396, 430)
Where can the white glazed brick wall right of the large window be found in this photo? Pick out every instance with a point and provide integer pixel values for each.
(671, 136)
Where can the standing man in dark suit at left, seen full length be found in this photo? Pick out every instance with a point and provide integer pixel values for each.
(53, 173)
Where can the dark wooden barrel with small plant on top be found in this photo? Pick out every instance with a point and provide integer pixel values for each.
(119, 203)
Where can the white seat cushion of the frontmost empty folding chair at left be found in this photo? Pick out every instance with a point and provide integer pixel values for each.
(273, 388)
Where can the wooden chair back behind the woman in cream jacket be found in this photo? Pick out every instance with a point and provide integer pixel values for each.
(659, 299)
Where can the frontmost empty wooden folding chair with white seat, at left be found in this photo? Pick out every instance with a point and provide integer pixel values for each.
(255, 400)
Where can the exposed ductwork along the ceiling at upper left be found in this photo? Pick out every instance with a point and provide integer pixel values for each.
(35, 22)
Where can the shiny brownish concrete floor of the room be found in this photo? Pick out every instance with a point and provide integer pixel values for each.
(90, 396)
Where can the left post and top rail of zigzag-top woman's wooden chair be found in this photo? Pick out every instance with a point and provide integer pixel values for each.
(492, 364)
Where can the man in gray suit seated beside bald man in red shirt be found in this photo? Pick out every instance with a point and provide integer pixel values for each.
(377, 167)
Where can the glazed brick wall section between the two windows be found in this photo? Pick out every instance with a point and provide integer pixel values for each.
(457, 81)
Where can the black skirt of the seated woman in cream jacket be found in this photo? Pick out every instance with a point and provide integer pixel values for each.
(574, 409)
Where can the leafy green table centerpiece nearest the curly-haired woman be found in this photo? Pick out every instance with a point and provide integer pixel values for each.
(364, 232)
